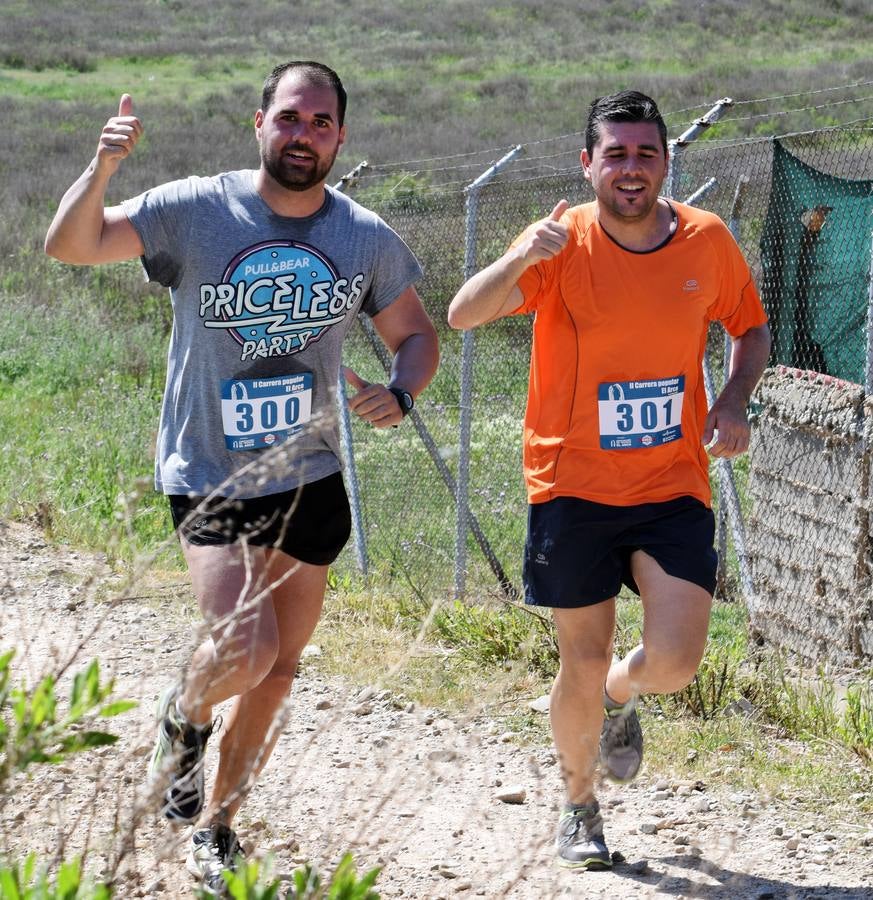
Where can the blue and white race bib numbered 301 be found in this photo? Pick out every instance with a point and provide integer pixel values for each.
(640, 414)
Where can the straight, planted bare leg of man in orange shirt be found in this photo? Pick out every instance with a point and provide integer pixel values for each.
(585, 644)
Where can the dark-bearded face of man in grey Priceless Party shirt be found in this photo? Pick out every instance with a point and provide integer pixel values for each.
(299, 136)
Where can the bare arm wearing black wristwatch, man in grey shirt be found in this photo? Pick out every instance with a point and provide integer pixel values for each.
(410, 336)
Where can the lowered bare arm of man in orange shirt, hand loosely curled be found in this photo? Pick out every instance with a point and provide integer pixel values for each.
(728, 413)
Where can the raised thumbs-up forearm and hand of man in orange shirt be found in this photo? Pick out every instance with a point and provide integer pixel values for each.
(494, 292)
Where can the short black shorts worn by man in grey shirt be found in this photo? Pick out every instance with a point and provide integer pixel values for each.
(311, 523)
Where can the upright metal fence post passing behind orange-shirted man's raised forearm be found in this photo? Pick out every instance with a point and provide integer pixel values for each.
(467, 351)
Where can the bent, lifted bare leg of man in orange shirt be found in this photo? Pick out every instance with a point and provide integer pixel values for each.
(676, 619)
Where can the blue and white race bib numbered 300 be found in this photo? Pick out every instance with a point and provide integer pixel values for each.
(261, 412)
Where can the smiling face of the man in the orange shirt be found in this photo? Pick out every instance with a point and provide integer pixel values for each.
(626, 169)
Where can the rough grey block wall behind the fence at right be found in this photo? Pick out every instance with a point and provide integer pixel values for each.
(808, 521)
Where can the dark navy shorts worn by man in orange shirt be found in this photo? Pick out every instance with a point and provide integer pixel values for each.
(578, 553)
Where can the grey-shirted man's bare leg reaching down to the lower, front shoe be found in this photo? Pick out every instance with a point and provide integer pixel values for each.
(249, 735)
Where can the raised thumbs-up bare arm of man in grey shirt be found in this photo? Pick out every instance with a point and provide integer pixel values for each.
(84, 231)
